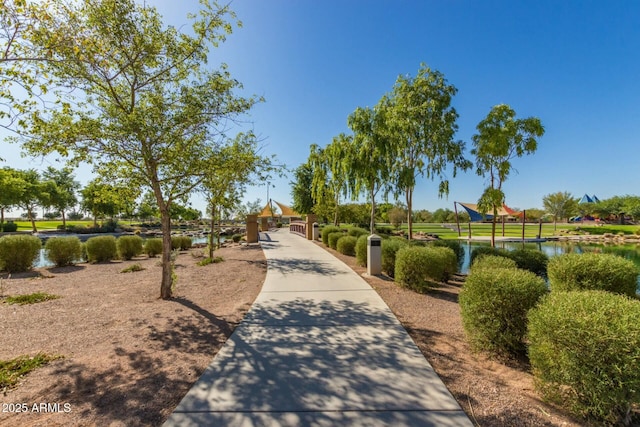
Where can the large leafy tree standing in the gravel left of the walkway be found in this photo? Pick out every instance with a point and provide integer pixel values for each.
(146, 107)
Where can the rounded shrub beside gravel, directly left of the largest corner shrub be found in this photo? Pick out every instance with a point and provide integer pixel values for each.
(494, 305)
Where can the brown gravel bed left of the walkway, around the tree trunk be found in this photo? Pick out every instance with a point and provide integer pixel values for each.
(128, 357)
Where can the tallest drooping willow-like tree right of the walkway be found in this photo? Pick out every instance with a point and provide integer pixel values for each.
(423, 125)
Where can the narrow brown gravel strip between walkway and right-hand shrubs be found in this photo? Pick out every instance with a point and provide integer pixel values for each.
(491, 393)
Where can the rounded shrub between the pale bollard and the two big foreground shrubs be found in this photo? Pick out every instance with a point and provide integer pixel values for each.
(422, 268)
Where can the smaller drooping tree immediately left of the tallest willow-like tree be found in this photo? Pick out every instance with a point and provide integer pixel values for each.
(369, 160)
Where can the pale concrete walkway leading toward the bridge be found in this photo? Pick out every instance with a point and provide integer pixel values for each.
(318, 347)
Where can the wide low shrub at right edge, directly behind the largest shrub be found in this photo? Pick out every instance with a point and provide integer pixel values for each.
(592, 271)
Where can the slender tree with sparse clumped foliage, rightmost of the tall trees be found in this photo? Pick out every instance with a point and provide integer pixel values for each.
(500, 138)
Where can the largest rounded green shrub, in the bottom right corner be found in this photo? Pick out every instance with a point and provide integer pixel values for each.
(584, 351)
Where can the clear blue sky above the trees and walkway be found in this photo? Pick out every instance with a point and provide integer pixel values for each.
(573, 64)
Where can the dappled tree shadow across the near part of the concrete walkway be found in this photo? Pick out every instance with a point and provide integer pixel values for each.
(327, 357)
